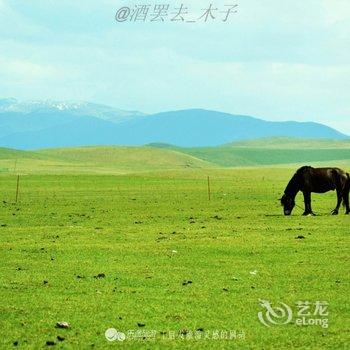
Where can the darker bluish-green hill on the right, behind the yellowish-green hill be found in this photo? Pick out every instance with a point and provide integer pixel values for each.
(271, 151)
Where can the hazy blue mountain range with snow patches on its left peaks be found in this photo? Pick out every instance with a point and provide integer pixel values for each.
(46, 124)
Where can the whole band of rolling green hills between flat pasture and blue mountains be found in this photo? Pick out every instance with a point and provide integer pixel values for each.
(157, 157)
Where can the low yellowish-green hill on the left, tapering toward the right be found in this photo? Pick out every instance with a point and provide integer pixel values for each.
(119, 160)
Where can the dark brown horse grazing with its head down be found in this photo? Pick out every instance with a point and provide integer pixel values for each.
(317, 180)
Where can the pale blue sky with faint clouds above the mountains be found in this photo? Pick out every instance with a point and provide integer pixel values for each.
(278, 60)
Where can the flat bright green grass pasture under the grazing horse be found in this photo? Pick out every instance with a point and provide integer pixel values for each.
(152, 233)
